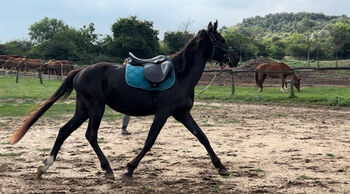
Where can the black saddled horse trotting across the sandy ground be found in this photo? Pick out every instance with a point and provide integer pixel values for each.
(104, 84)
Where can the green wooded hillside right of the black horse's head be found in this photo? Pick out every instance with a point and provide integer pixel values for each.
(298, 35)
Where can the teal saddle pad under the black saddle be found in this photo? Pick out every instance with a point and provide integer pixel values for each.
(134, 78)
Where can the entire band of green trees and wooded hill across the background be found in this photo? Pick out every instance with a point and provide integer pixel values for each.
(298, 35)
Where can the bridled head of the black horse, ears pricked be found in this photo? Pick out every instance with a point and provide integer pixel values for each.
(221, 52)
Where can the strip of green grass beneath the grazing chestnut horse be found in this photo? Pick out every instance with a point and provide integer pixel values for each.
(325, 96)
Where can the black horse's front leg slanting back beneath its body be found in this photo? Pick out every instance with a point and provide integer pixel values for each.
(157, 125)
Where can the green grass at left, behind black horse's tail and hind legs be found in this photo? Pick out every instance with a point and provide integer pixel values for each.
(18, 100)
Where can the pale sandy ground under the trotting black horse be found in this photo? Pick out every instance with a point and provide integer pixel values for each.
(267, 148)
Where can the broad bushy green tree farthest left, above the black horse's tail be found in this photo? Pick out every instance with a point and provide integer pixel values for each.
(54, 39)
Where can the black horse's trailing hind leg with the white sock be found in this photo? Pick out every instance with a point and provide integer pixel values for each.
(78, 119)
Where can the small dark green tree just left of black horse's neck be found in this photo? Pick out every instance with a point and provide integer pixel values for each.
(174, 41)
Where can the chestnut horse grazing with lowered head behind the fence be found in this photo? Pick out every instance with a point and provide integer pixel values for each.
(260, 76)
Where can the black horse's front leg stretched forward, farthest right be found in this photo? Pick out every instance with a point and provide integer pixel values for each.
(187, 120)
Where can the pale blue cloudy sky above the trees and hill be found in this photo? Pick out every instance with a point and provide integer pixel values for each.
(16, 16)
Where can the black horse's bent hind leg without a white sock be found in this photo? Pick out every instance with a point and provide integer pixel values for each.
(95, 117)
